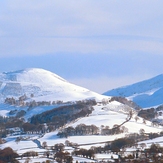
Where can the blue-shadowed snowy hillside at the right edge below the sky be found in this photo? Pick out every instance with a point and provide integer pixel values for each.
(147, 93)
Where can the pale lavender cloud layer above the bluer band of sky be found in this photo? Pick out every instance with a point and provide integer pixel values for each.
(39, 27)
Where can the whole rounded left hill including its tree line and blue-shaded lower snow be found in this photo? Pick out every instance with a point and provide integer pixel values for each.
(29, 92)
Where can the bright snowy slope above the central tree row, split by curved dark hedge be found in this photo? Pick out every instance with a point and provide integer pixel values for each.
(104, 115)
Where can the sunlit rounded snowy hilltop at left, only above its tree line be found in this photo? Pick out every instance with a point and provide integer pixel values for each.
(44, 85)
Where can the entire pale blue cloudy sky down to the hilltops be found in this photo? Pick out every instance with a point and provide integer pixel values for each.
(97, 44)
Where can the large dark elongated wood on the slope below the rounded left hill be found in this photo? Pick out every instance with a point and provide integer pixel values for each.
(63, 114)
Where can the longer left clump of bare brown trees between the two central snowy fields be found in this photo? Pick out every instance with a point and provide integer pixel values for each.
(80, 129)
